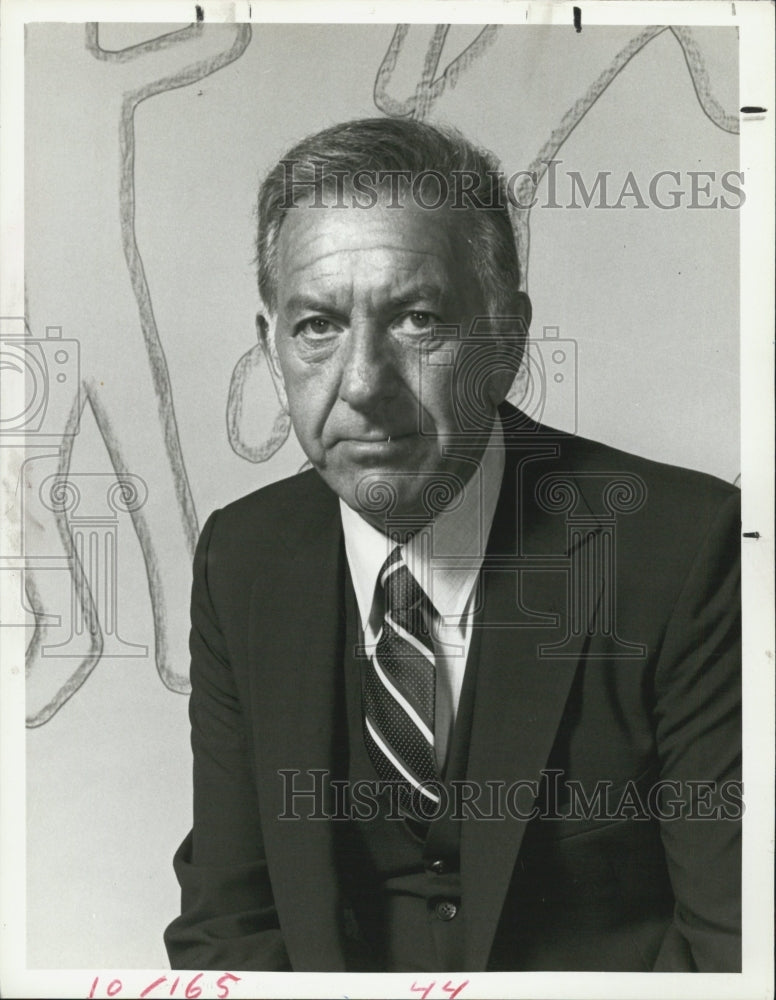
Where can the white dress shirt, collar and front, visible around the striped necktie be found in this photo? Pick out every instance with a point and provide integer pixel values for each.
(445, 557)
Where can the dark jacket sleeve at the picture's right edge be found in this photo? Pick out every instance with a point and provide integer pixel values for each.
(698, 726)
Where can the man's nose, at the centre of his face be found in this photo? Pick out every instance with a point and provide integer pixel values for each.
(370, 376)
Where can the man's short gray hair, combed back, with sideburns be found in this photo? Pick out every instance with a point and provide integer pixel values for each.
(416, 150)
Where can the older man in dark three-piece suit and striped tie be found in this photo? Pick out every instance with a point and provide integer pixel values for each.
(466, 694)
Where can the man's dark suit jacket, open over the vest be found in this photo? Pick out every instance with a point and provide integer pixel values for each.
(609, 652)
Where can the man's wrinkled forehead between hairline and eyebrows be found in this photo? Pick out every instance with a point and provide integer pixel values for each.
(377, 245)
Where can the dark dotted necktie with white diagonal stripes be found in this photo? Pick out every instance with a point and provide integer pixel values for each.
(398, 692)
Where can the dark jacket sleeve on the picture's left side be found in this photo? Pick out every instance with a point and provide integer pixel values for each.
(228, 918)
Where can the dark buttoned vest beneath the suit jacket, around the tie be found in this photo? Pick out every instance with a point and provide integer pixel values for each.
(403, 882)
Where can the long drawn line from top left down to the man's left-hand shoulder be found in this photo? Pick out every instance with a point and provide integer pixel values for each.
(157, 359)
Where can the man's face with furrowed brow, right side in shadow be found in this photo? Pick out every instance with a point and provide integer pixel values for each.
(359, 295)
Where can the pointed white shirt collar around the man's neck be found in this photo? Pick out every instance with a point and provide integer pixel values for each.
(445, 557)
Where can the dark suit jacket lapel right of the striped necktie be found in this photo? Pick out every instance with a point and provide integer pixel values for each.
(521, 690)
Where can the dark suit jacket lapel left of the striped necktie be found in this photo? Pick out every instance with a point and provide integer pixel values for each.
(298, 704)
